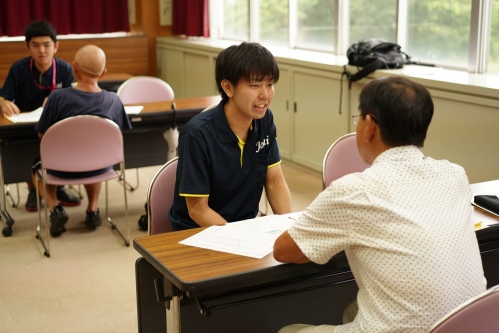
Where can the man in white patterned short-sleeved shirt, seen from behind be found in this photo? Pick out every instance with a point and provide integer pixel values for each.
(404, 223)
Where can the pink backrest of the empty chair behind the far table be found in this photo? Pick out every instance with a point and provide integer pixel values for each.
(143, 89)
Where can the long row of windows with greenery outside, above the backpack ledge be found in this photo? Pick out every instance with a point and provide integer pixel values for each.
(452, 34)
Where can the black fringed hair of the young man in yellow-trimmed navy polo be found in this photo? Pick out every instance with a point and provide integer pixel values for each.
(248, 61)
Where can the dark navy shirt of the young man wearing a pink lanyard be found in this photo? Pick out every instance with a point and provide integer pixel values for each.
(20, 86)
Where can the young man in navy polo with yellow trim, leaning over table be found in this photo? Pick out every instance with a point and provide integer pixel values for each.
(227, 155)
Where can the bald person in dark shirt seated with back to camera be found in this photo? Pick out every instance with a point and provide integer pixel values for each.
(86, 98)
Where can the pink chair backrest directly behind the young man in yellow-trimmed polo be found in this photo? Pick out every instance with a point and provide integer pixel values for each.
(160, 198)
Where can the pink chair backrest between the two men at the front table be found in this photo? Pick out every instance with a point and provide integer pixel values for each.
(341, 159)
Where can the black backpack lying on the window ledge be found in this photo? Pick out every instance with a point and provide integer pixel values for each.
(372, 54)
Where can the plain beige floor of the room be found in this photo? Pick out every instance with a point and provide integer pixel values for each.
(88, 283)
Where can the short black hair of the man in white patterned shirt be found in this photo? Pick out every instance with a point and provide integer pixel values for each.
(402, 109)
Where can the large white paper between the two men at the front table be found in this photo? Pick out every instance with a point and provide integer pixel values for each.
(251, 238)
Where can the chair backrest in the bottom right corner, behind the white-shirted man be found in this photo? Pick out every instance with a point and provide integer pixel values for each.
(479, 314)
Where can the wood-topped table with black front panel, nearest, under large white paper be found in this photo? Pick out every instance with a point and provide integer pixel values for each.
(205, 290)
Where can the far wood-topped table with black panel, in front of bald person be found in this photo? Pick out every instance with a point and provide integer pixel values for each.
(144, 144)
